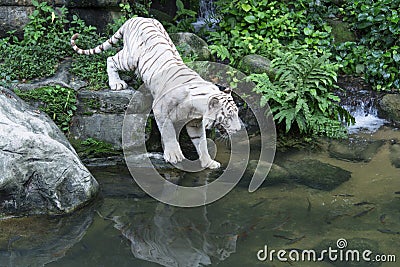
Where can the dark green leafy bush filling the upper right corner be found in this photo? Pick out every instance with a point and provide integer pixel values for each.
(376, 54)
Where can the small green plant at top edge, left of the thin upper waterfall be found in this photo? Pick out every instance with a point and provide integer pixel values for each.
(183, 19)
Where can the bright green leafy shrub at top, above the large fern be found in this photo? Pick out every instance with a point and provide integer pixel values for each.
(258, 27)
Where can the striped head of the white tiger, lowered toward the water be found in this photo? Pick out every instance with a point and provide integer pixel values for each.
(222, 112)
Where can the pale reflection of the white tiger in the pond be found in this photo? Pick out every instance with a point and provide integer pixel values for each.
(178, 236)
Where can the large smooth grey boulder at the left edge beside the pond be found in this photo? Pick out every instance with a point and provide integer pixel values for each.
(40, 171)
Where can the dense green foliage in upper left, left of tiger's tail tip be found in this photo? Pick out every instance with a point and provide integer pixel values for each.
(44, 45)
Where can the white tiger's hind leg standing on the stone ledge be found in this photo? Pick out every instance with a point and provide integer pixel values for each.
(114, 64)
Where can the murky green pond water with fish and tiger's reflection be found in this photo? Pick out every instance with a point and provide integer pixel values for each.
(124, 227)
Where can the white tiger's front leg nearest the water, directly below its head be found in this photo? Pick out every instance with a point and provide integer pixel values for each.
(197, 133)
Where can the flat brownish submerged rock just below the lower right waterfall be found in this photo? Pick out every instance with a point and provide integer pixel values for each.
(354, 150)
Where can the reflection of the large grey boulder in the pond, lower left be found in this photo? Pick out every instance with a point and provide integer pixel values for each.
(36, 241)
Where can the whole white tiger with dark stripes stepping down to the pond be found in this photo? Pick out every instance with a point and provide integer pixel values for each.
(179, 93)
